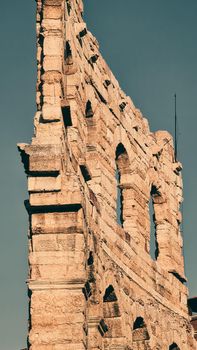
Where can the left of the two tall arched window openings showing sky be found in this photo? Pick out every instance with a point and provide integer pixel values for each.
(122, 168)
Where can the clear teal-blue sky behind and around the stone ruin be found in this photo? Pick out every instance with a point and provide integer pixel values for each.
(151, 47)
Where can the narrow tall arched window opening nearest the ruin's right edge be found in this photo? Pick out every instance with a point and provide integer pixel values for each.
(154, 248)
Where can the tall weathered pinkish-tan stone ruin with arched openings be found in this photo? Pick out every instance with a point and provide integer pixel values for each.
(93, 168)
